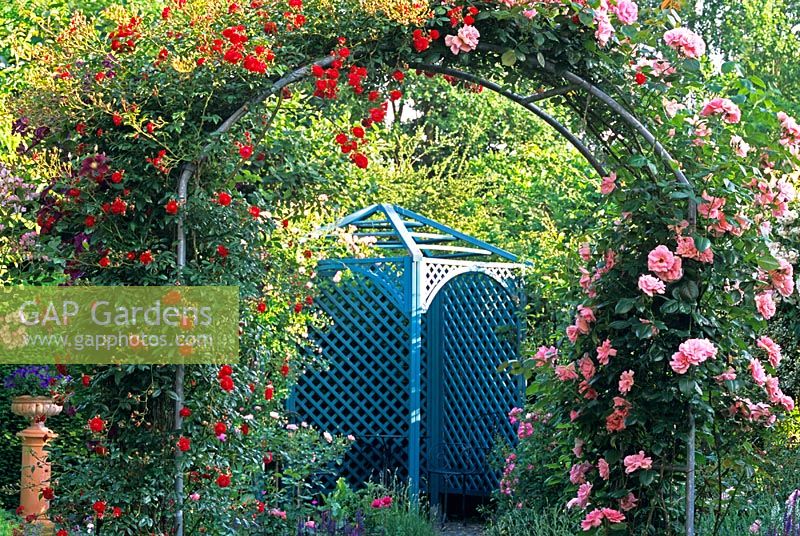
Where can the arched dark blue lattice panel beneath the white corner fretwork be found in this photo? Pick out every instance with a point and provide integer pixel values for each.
(473, 325)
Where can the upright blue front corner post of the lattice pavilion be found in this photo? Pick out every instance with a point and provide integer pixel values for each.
(417, 276)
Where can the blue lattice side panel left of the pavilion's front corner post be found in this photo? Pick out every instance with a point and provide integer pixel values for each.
(364, 390)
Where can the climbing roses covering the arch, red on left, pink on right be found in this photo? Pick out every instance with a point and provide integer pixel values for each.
(670, 321)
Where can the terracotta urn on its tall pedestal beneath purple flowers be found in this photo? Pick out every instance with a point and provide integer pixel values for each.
(35, 465)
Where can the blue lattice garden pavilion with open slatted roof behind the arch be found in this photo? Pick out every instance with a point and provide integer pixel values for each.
(417, 334)
